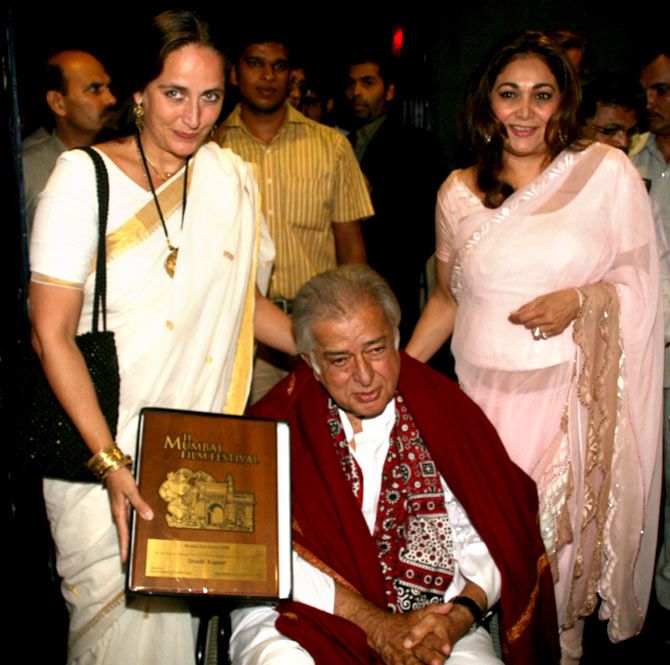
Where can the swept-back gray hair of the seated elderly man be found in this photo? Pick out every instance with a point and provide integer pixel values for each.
(336, 294)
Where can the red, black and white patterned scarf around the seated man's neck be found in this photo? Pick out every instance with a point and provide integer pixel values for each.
(412, 530)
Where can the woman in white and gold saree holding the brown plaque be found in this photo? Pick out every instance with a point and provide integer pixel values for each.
(184, 245)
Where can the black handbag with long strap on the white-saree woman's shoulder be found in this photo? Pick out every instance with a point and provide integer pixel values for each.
(48, 441)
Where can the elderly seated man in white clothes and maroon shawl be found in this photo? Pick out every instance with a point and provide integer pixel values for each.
(409, 520)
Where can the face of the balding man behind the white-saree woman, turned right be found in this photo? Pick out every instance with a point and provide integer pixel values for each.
(88, 101)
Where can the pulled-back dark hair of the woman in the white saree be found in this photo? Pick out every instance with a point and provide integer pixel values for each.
(168, 31)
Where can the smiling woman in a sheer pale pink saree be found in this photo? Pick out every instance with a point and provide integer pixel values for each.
(548, 278)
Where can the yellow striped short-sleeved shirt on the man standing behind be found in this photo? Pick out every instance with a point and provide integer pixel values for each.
(309, 179)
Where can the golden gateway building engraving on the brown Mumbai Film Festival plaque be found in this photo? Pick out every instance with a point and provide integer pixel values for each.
(196, 500)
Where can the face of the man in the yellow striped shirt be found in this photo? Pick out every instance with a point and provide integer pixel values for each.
(262, 75)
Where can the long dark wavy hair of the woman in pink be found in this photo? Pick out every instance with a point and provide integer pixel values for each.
(485, 134)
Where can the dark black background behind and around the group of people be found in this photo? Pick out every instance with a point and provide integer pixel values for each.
(441, 48)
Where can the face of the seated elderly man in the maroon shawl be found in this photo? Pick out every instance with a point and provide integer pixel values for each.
(358, 361)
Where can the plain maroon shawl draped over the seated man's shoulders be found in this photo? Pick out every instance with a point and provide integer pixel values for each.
(329, 530)
